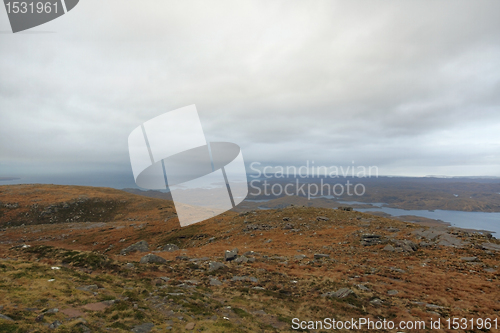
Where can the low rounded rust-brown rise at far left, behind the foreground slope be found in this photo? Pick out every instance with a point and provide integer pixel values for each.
(46, 204)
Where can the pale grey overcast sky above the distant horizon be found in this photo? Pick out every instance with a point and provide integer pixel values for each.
(412, 87)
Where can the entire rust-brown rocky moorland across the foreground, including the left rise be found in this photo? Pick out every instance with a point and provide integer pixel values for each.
(248, 272)
